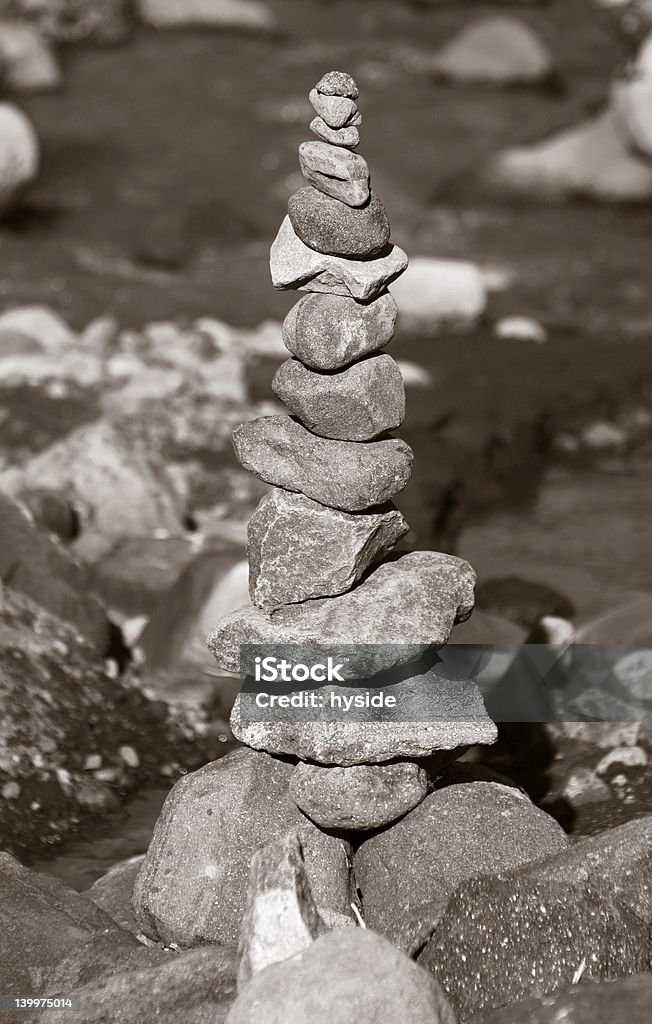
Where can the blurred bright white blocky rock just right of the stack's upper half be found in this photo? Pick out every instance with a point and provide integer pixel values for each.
(434, 292)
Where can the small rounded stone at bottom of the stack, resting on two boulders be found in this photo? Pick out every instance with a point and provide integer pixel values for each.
(361, 797)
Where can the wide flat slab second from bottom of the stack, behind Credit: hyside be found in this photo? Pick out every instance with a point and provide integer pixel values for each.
(446, 712)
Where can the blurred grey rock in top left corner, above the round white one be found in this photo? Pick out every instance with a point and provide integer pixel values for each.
(27, 61)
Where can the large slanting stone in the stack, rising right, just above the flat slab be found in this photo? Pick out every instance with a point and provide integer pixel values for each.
(413, 602)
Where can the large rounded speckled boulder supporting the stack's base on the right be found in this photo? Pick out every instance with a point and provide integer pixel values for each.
(458, 833)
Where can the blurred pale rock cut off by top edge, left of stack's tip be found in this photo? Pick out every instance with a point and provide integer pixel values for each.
(250, 15)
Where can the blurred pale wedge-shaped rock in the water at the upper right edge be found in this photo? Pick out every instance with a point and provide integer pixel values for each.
(590, 160)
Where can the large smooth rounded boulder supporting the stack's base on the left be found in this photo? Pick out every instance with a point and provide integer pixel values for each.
(192, 888)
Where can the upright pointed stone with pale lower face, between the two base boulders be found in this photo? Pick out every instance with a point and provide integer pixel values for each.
(282, 919)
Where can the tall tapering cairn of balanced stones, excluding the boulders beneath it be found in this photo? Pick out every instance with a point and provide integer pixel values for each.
(319, 543)
